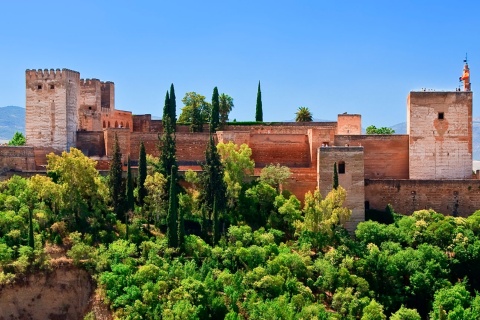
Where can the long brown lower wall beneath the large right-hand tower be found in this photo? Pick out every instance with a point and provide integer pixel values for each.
(407, 196)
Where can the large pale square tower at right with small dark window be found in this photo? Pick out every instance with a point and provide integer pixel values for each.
(439, 125)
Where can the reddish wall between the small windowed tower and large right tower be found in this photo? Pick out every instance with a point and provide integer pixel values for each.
(385, 156)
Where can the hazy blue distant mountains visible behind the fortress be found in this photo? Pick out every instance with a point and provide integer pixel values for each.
(12, 119)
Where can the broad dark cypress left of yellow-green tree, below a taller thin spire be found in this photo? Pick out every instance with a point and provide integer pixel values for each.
(214, 189)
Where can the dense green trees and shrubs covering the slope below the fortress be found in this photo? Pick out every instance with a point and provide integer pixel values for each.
(264, 256)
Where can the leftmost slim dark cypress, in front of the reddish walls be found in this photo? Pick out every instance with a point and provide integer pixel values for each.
(116, 185)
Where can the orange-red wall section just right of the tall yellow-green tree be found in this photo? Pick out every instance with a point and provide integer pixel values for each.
(291, 150)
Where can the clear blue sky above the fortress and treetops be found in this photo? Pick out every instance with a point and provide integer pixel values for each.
(330, 56)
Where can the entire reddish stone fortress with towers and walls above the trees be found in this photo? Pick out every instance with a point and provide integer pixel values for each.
(429, 167)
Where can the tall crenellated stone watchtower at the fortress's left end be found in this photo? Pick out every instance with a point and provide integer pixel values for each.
(52, 108)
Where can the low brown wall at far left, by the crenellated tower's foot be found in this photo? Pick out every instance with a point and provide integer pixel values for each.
(17, 158)
